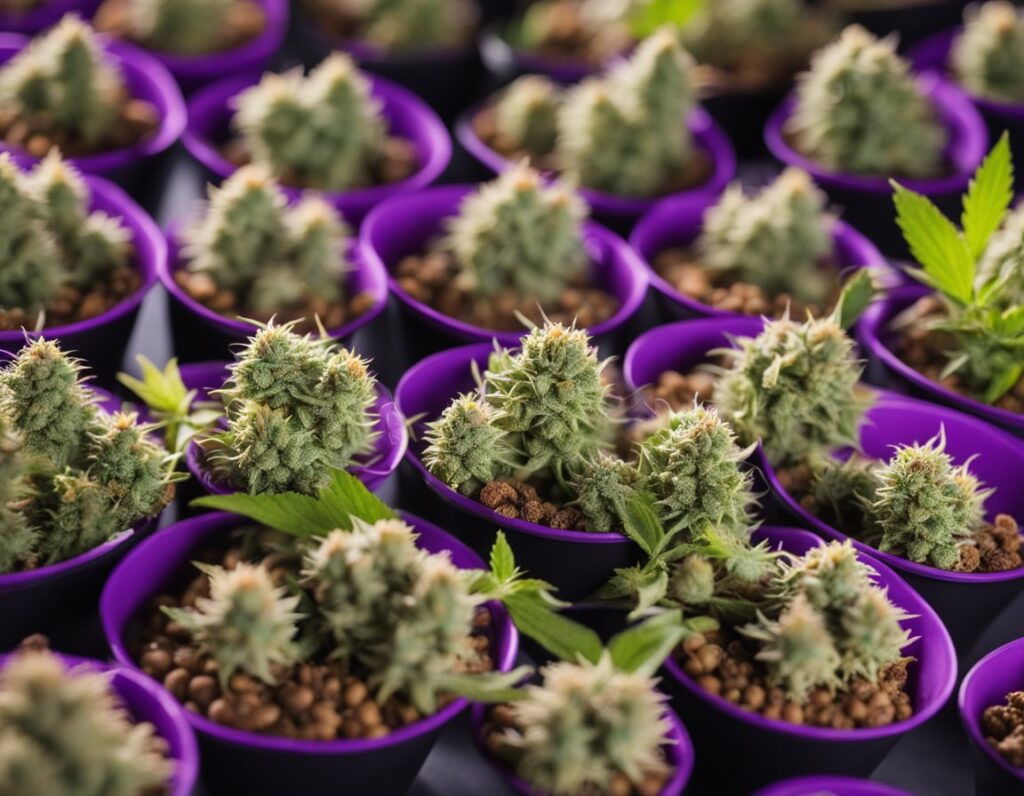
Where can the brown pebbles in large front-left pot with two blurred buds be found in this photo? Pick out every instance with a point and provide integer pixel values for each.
(318, 700)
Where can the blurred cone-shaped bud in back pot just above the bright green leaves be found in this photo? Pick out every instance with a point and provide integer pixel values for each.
(861, 111)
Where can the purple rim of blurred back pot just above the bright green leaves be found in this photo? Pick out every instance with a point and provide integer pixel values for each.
(967, 147)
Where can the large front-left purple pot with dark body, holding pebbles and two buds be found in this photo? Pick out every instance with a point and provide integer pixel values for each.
(236, 762)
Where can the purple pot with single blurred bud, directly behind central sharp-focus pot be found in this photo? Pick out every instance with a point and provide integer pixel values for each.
(405, 226)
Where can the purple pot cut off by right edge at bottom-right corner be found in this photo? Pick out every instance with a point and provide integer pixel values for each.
(989, 684)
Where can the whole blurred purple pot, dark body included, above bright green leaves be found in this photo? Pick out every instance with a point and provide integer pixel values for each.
(867, 201)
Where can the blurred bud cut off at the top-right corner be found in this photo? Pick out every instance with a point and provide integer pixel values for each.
(989, 57)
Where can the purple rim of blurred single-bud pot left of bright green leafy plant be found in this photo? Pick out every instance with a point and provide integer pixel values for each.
(678, 222)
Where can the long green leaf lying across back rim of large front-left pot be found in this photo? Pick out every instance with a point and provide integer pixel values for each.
(346, 497)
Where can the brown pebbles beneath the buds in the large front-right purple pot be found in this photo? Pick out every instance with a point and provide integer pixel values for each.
(724, 665)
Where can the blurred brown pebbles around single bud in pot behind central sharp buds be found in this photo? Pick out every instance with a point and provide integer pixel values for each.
(432, 279)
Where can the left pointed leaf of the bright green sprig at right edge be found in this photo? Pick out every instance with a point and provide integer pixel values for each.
(935, 243)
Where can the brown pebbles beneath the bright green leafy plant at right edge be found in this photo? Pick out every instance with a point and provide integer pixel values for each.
(926, 351)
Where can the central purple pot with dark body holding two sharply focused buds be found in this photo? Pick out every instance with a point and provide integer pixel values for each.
(423, 393)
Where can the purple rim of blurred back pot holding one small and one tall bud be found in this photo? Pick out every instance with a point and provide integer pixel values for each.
(707, 135)
